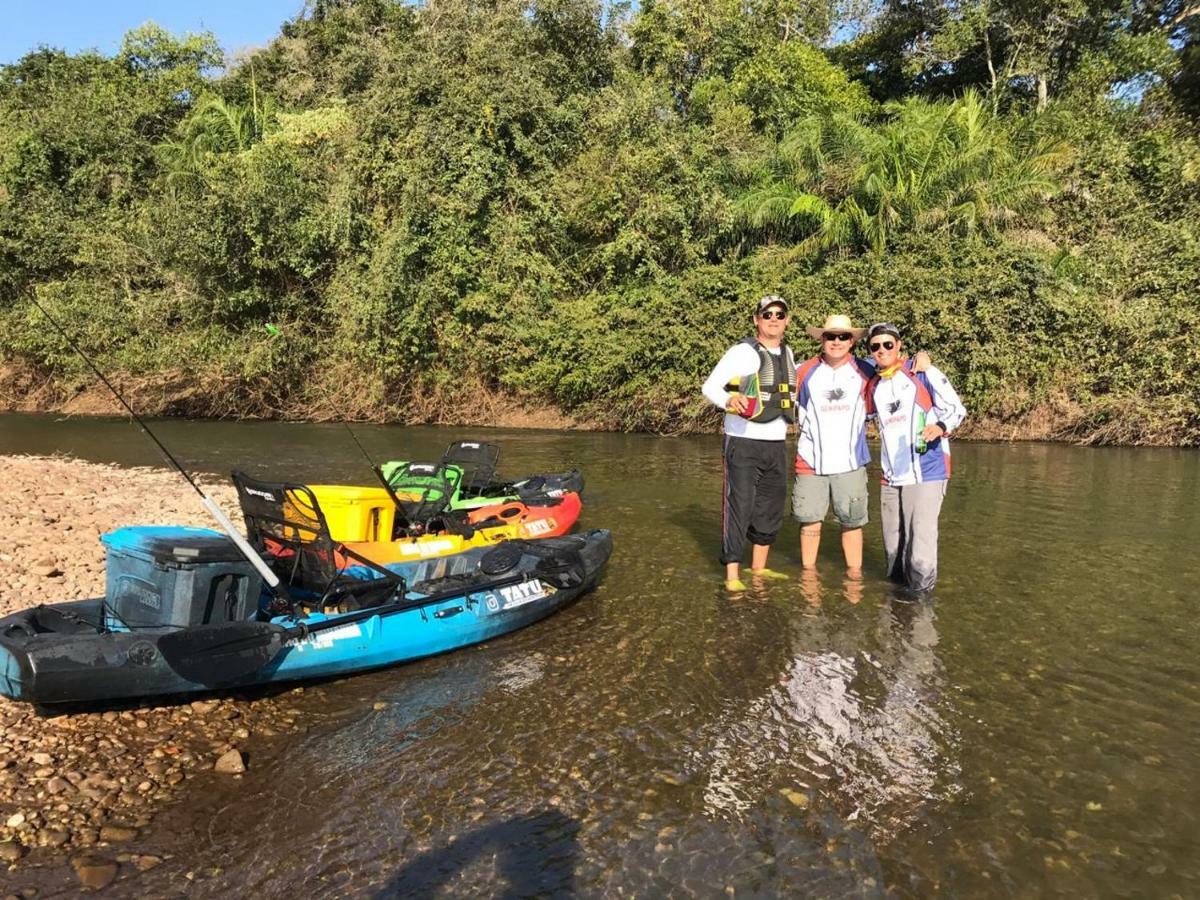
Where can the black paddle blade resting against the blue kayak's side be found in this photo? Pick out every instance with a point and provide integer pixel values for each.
(221, 655)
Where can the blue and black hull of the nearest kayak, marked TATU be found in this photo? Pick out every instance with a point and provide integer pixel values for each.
(55, 655)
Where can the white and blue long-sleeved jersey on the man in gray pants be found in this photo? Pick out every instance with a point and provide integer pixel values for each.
(899, 404)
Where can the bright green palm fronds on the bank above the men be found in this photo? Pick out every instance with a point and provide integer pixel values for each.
(934, 166)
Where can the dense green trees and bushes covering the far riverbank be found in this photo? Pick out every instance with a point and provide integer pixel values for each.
(448, 213)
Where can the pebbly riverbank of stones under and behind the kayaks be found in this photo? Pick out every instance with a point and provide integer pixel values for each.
(85, 785)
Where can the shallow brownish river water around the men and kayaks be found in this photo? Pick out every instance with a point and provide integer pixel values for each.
(1033, 730)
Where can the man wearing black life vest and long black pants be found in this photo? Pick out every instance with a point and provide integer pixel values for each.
(755, 385)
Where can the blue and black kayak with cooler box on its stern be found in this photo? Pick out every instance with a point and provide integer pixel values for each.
(184, 613)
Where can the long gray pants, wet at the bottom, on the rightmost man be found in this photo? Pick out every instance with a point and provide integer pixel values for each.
(909, 515)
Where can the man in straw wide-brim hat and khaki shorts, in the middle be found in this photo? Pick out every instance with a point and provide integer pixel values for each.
(831, 451)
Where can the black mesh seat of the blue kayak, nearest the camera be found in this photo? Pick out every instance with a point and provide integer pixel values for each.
(285, 523)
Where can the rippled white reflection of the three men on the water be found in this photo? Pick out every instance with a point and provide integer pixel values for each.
(860, 730)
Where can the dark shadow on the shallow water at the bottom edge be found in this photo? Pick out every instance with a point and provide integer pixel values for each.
(535, 855)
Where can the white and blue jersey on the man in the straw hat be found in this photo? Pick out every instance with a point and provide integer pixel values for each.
(832, 417)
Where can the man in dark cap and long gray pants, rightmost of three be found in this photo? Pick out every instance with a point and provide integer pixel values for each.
(916, 413)
